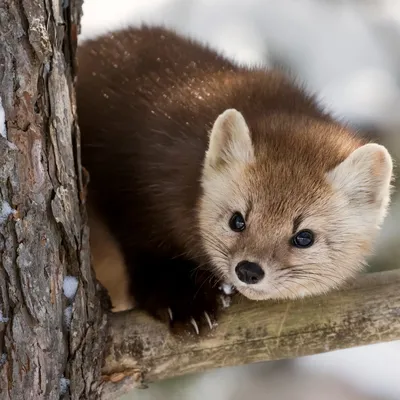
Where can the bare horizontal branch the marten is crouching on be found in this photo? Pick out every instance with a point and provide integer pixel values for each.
(142, 350)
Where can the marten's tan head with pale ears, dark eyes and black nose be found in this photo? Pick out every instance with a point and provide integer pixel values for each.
(291, 206)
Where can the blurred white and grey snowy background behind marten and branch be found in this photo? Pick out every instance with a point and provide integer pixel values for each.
(348, 52)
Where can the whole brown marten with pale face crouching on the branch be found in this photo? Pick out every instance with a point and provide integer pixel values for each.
(204, 172)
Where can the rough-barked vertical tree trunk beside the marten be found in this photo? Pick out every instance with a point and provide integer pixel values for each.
(49, 344)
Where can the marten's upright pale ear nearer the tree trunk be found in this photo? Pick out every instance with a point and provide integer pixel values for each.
(230, 140)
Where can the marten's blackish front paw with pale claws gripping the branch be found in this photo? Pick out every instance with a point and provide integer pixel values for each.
(177, 293)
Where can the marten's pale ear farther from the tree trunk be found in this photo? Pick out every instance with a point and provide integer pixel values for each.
(365, 179)
